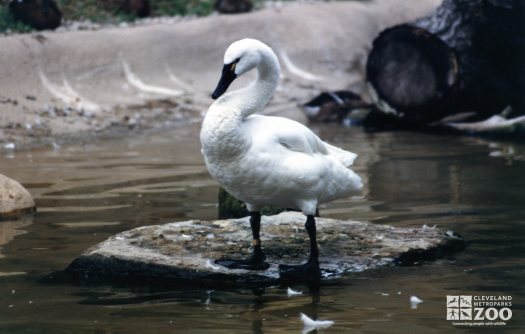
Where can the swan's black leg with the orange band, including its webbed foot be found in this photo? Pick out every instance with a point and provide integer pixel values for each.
(256, 260)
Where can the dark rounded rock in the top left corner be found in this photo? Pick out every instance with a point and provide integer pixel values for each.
(39, 14)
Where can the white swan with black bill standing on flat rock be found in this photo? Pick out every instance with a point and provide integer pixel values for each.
(264, 160)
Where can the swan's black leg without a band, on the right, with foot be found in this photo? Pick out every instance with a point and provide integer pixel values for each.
(310, 270)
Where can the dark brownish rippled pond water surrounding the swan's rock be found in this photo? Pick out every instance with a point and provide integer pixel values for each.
(87, 193)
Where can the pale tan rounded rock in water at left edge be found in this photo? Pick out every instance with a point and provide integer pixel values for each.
(15, 200)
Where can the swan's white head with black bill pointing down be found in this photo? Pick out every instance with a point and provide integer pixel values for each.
(240, 57)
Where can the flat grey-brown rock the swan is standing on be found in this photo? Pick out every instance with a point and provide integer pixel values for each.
(184, 252)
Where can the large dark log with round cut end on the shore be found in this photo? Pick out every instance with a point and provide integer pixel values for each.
(465, 56)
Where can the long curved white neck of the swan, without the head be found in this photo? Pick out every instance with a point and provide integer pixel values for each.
(222, 133)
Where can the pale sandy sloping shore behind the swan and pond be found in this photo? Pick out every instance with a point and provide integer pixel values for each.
(70, 86)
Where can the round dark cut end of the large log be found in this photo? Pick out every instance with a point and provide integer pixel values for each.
(411, 69)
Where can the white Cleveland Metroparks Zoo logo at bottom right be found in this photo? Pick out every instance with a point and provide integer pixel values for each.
(474, 308)
